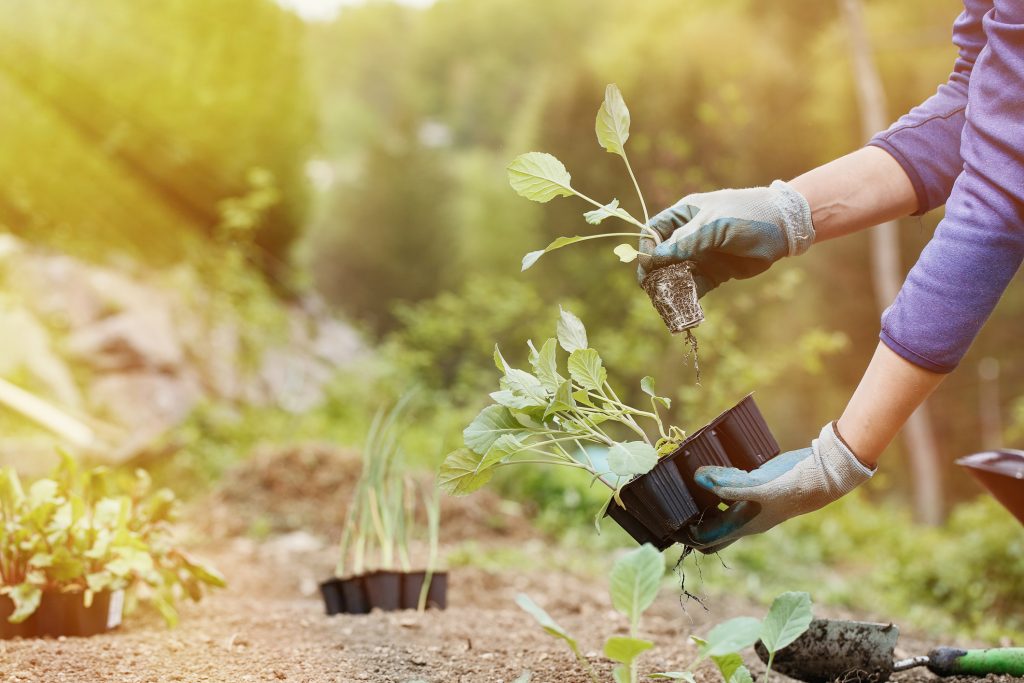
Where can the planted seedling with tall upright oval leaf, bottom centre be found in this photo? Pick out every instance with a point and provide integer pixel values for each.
(635, 579)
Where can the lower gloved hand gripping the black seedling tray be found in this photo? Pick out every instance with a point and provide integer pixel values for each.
(791, 485)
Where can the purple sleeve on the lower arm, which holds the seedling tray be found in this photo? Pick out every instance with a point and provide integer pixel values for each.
(978, 247)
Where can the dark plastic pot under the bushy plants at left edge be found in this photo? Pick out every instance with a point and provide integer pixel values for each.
(65, 615)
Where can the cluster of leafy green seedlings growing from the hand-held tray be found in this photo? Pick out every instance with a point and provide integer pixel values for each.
(556, 416)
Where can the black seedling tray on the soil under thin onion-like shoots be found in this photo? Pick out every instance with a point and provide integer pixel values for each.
(385, 590)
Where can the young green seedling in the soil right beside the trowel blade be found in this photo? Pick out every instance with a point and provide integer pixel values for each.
(789, 617)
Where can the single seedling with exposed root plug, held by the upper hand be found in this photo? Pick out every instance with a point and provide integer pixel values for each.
(541, 178)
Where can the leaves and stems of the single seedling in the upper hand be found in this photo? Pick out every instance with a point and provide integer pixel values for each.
(541, 178)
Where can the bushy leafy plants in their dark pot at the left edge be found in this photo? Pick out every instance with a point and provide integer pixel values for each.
(73, 544)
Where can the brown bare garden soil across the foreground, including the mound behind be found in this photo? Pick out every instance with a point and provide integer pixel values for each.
(270, 624)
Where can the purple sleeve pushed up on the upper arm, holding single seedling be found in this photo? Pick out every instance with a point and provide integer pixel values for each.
(926, 142)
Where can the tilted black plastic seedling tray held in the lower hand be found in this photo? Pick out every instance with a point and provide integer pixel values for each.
(665, 500)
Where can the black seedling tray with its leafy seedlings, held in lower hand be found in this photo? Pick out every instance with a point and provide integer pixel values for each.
(574, 418)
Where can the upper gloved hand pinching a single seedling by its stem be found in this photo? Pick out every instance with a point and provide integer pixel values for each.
(730, 234)
